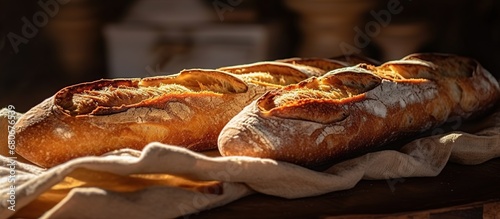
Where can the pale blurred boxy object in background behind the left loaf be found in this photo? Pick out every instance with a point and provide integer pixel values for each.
(157, 38)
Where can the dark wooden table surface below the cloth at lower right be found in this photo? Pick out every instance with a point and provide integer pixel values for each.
(460, 191)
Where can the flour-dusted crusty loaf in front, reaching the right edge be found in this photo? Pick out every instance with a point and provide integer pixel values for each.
(359, 108)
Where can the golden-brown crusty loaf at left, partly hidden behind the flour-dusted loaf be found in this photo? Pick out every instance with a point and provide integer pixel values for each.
(187, 109)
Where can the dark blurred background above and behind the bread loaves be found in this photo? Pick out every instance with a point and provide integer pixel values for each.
(46, 45)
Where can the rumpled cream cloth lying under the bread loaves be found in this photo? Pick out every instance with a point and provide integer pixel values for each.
(166, 181)
